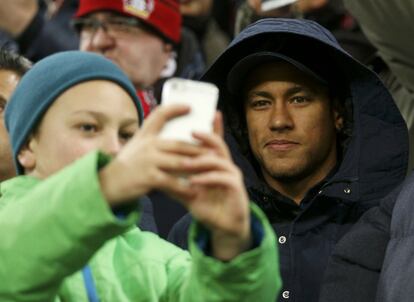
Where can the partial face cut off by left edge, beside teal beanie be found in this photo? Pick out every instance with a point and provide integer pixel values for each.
(8, 82)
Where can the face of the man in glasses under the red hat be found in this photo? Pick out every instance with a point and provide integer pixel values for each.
(140, 54)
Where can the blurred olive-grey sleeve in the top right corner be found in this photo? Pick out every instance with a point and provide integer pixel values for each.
(388, 25)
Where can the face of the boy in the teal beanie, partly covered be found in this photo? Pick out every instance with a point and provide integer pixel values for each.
(94, 115)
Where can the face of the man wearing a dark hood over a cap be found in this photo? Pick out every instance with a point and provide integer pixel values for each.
(291, 124)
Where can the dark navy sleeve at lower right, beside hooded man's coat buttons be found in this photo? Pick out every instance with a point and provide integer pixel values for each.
(355, 265)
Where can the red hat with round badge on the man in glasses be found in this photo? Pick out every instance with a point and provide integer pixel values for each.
(162, 15)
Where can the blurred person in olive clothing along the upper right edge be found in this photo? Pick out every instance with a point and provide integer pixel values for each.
(394, 42)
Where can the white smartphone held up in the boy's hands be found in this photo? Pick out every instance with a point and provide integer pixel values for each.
(201, 97)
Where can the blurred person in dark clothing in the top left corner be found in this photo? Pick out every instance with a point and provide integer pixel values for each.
(38, 28)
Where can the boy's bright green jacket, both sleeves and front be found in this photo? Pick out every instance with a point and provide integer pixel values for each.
(52, 229)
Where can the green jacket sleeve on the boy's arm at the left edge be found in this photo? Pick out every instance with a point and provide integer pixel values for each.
(51, 231)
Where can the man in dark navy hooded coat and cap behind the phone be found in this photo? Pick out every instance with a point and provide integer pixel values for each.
(317, 135)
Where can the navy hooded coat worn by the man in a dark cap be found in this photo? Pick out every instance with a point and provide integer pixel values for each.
(373, 162)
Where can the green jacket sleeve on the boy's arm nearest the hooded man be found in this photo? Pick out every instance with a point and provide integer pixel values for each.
(252, 276)
